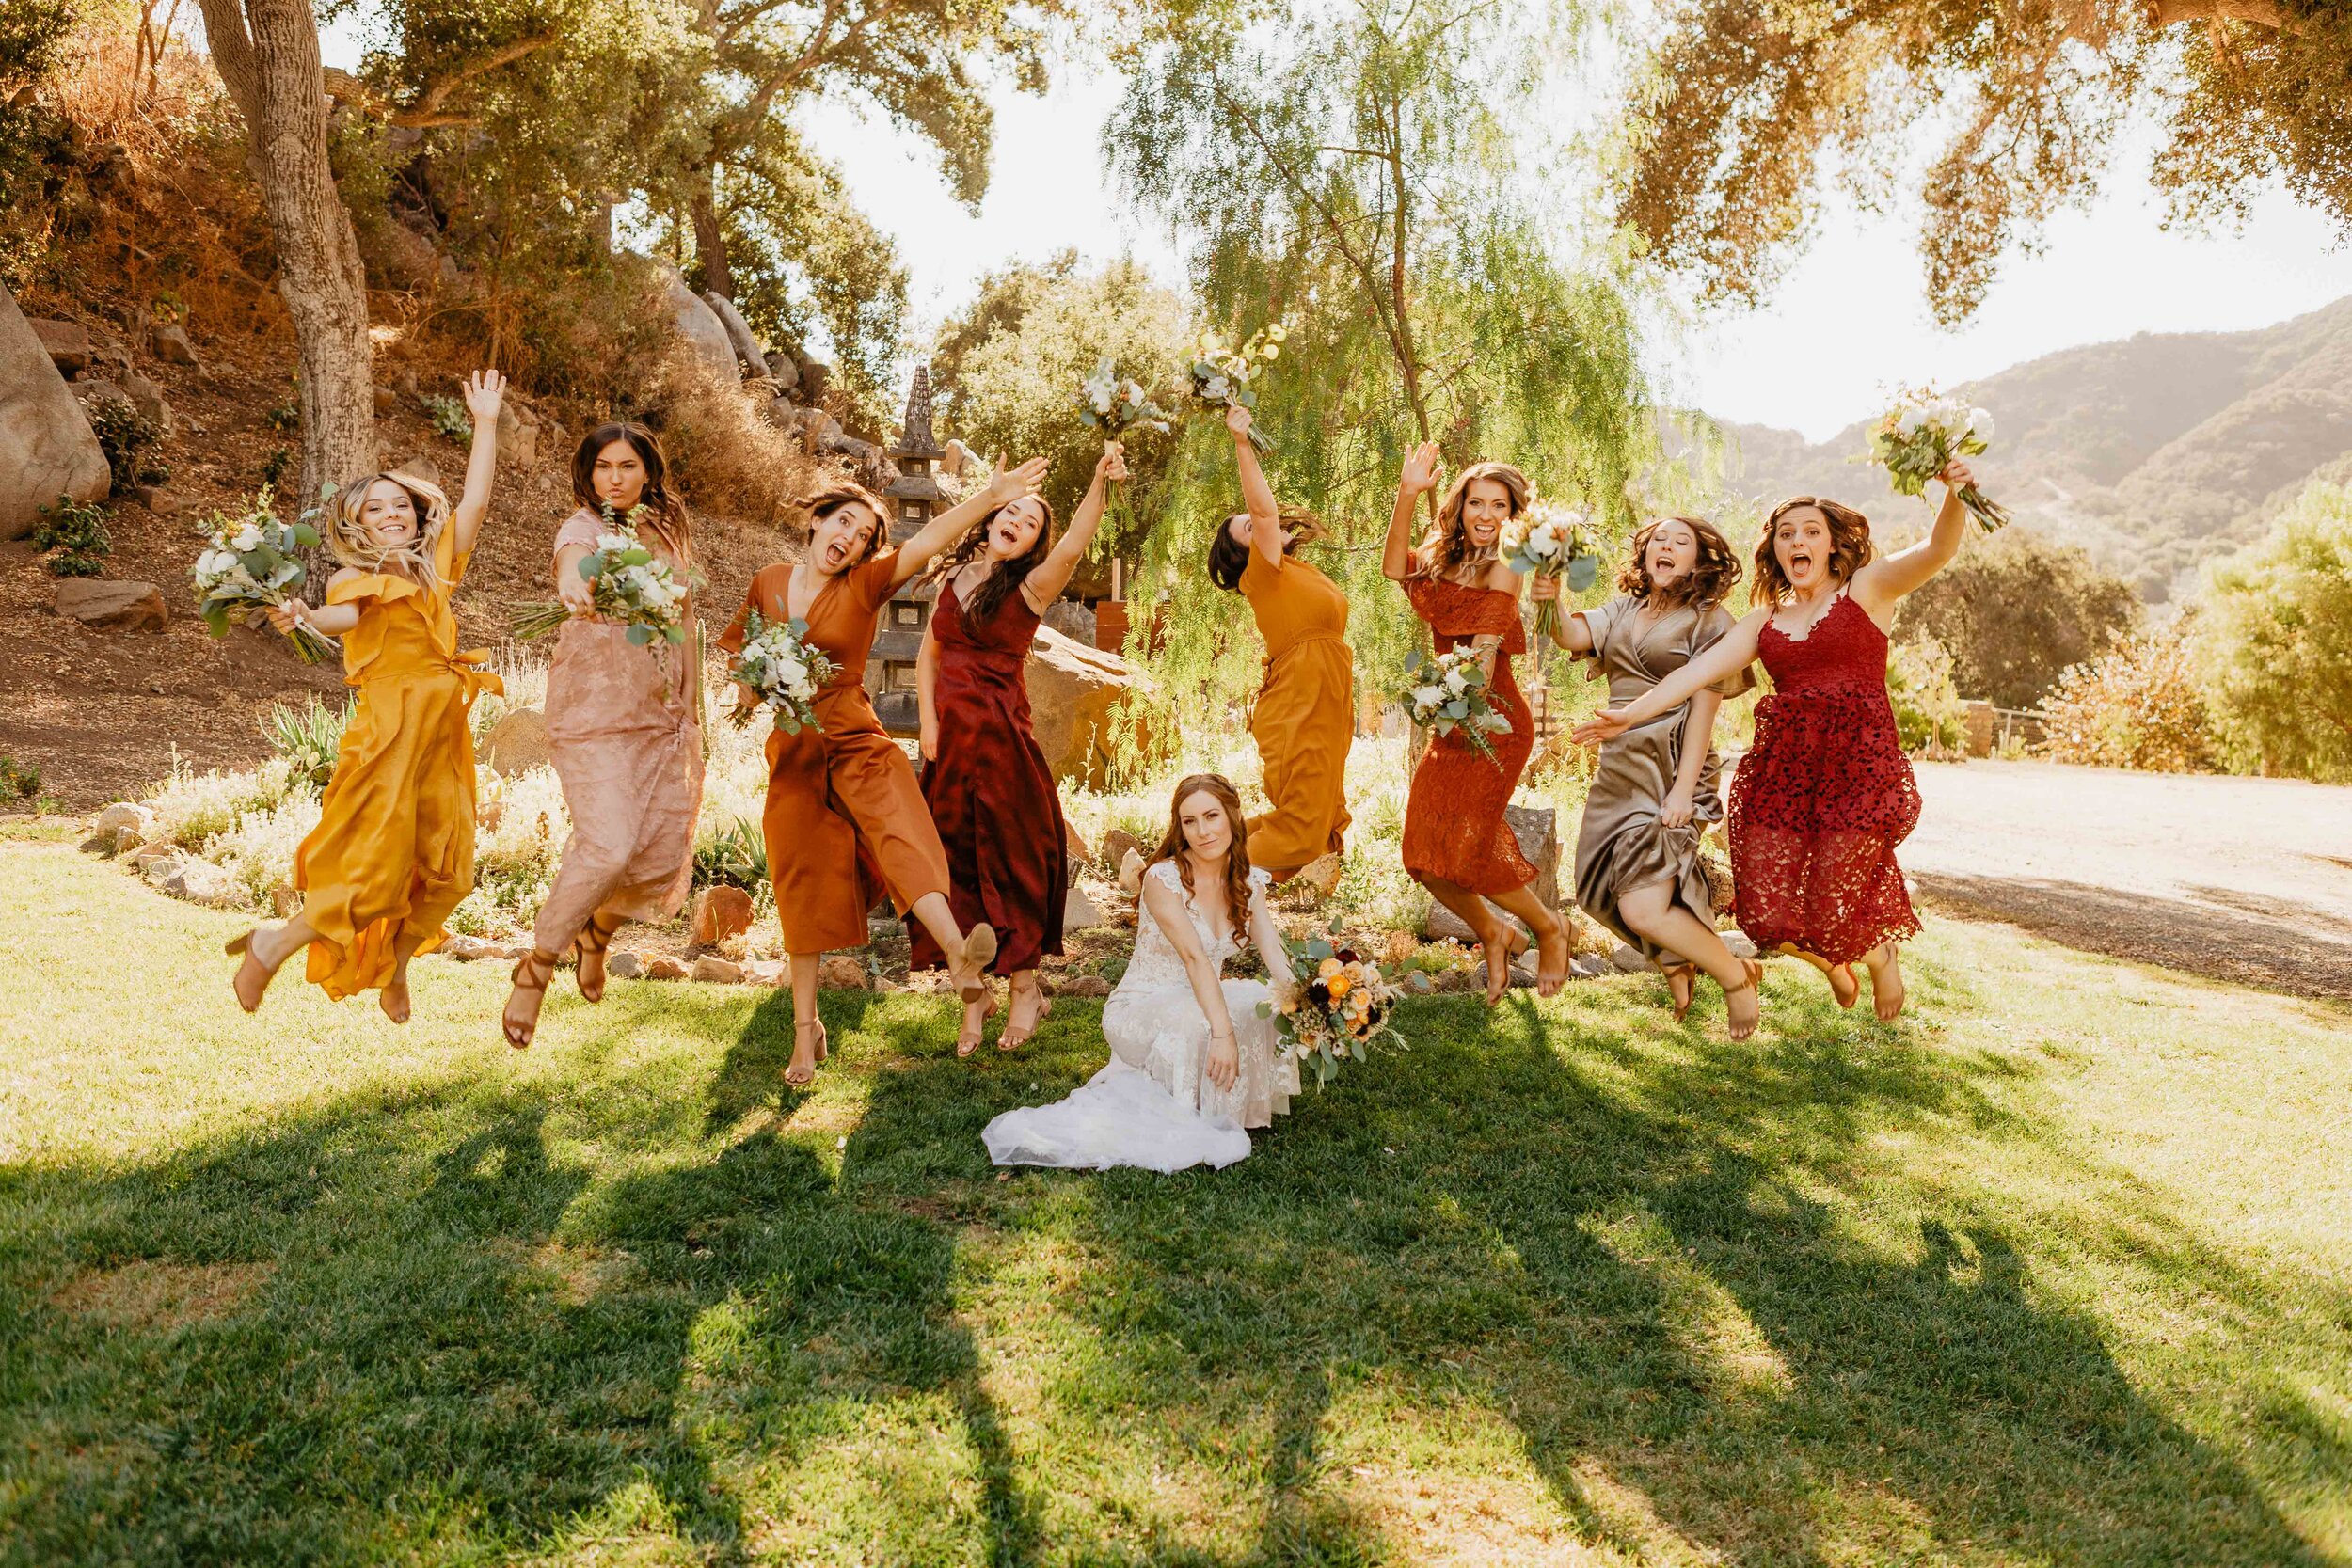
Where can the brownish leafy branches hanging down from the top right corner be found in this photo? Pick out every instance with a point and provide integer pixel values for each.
(1746, 107)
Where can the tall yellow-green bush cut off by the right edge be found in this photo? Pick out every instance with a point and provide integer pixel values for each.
(2276, 643)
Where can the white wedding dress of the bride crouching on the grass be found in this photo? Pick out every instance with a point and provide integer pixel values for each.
(1151, 1106)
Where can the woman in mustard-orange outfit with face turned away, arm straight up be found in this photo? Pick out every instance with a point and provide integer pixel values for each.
(1304, 718)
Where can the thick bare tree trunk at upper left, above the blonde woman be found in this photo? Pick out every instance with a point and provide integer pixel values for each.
(267, 55)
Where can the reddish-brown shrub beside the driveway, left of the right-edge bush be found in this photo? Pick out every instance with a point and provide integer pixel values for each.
(2134, 709)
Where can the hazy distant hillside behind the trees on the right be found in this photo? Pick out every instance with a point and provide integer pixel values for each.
(2153, 453)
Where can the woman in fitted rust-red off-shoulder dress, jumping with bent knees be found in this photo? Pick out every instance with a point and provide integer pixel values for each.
(1455, 836)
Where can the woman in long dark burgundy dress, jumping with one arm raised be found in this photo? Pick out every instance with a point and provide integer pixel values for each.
(989, 786)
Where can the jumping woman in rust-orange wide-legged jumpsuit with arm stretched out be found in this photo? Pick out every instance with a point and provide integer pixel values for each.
(846, 817)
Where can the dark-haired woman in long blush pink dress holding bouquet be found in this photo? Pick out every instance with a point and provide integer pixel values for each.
(624, 735)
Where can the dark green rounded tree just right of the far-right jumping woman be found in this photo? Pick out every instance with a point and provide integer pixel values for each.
(2017, 610)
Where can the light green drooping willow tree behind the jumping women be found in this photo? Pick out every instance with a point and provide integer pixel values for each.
(1365, 175)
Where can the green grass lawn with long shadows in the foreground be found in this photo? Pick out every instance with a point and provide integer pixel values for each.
(2059, 1271)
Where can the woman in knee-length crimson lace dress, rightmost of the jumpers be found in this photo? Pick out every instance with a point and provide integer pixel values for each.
(1824, 796)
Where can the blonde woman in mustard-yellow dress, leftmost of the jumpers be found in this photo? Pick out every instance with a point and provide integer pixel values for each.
(394, 843)
